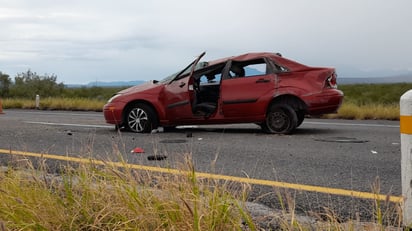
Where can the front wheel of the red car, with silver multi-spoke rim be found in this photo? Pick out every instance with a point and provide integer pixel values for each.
(140, 118)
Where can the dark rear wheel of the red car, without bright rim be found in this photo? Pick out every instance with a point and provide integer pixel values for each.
(280, 119)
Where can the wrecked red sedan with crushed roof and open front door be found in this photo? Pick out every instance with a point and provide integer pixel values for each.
(261, 88)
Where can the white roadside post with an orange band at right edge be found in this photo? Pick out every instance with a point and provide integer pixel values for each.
(406, 155)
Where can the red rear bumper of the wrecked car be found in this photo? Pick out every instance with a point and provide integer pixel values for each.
(325, 102)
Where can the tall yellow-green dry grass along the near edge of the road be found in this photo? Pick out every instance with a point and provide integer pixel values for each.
(91, 197)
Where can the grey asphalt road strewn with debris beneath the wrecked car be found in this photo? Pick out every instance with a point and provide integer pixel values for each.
(341, 154)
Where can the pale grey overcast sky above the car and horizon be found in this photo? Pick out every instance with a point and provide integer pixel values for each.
(83, 41)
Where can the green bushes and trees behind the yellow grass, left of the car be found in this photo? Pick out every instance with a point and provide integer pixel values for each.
(29, 84)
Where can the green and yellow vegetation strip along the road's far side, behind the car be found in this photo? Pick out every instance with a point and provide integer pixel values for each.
(362, 101)
